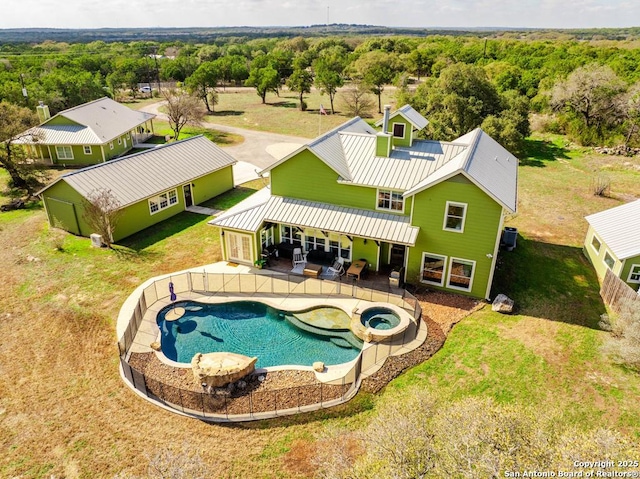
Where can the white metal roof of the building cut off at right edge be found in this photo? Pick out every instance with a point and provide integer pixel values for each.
(619, 229)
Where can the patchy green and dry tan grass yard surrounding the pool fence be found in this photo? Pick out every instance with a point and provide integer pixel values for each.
(64, 410)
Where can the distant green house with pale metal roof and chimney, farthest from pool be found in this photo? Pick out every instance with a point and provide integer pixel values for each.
(87, 134)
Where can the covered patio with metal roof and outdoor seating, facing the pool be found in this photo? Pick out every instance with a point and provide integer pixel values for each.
(370, 244)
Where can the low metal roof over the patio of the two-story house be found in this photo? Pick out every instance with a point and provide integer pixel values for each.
(327, 217)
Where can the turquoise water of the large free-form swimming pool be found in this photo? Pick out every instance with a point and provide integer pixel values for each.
(253, 329)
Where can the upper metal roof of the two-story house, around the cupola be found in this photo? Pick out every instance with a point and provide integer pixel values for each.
(350, 150)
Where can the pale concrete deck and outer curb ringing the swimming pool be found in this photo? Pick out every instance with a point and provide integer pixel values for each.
(148, 333)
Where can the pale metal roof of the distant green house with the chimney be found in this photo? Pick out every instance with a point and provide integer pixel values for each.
(97, 122)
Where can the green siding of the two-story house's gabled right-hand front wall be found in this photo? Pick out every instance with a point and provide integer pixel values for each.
(482, 221)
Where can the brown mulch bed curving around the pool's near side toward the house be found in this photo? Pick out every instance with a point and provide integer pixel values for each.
(276, 390)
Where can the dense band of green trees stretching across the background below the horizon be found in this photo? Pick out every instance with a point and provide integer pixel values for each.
(588, 90)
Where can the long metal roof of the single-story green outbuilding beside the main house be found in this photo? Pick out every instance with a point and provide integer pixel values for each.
(143, 175)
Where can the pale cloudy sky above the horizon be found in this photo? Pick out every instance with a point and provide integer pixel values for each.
(409, 13)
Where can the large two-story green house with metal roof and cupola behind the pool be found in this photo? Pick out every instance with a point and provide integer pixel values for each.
(432, 210)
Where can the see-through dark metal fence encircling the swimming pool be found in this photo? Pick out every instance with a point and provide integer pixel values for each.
(246, 402)
